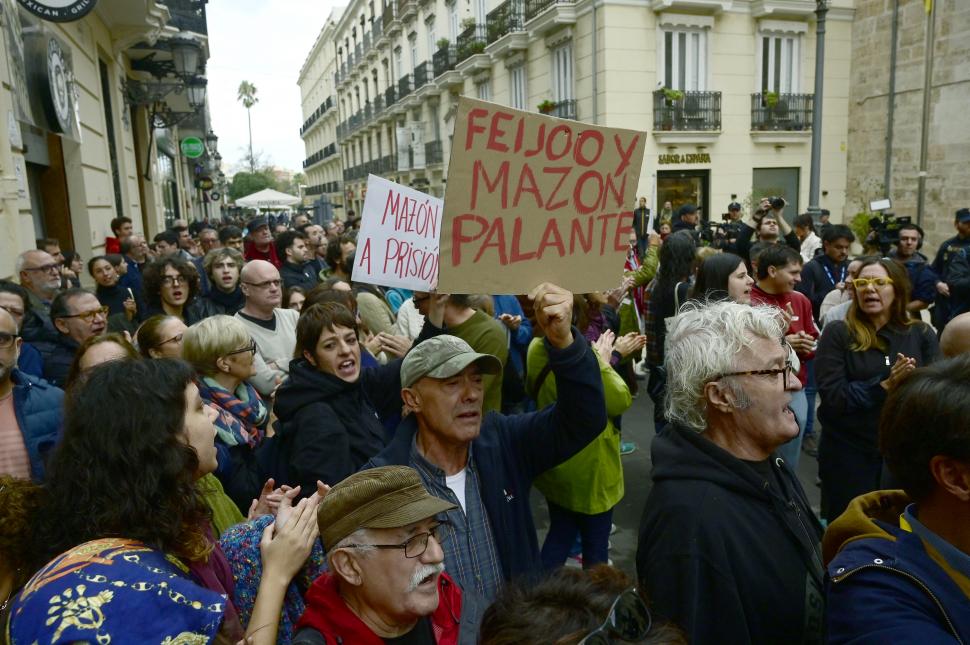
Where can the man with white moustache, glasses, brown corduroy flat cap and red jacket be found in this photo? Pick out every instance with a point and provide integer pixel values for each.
(382, 534)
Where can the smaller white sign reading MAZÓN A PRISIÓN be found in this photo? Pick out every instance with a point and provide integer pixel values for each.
(397, 245)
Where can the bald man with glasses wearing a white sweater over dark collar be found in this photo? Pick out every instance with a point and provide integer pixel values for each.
(273, 328)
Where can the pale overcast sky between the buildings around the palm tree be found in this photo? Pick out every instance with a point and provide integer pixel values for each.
(264, 42)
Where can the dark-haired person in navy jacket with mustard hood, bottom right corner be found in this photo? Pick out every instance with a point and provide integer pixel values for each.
(897, 560)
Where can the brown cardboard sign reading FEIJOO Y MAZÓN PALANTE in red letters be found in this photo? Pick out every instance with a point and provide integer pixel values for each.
(531, 198)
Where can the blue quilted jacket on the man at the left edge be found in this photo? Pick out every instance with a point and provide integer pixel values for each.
(40, 415)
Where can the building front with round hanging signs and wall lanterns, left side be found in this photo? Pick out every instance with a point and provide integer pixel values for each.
(96, 111)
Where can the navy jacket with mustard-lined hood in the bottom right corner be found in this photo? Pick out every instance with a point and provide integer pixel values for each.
(886, 585)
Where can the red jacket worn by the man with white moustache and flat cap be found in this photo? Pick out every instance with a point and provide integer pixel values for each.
(327, 612)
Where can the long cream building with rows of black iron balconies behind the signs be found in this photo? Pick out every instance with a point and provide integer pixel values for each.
(723, 87)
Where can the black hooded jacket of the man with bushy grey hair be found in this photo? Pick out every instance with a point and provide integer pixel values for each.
(724, 554)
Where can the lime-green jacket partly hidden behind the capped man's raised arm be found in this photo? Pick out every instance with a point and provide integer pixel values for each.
(591, 481)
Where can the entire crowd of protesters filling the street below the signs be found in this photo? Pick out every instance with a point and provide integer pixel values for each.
(230, 440)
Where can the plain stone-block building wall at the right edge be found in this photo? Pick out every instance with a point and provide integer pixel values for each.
(901, 91)
